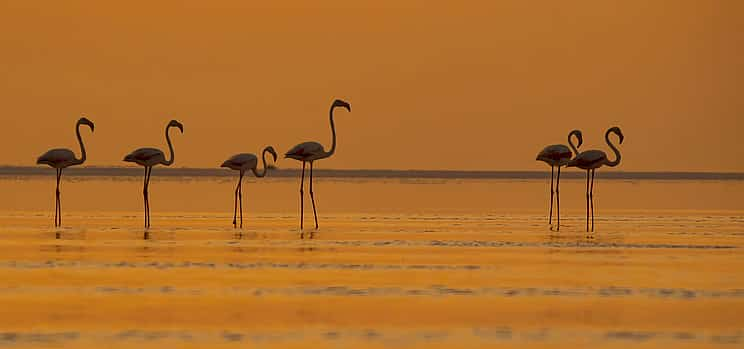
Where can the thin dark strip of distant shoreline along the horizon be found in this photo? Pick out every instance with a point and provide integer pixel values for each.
(23, 171)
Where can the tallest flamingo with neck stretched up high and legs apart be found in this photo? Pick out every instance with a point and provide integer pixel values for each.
(309, 152)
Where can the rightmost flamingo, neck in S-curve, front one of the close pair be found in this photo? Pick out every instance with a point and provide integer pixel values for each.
(590, 161)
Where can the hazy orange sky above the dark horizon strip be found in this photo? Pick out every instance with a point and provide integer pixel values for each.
(433, 84)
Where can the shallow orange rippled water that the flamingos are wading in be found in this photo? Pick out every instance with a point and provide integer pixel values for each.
(396, 263)
